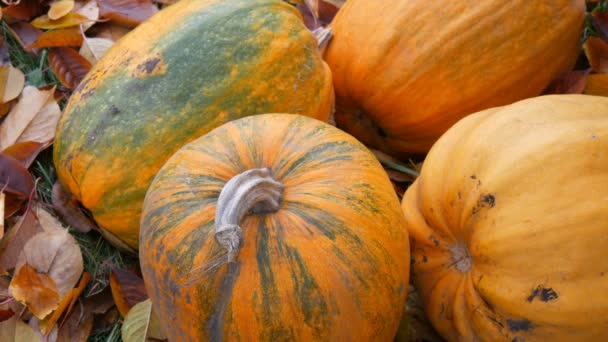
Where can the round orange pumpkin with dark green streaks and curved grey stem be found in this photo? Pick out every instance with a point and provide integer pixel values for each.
(275, 227)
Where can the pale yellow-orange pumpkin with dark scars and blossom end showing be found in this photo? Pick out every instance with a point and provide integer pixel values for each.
(508, 223)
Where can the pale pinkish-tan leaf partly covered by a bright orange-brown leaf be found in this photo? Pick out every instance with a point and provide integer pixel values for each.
(57, 254)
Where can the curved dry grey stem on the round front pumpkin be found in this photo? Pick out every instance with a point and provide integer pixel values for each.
(254, 191)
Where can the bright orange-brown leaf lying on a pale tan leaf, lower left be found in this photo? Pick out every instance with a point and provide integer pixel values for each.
(36, 290)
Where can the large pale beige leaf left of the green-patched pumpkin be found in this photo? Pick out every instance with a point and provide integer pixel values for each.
(33, 118)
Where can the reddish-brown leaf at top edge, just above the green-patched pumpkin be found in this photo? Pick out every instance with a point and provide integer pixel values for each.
(129, 13)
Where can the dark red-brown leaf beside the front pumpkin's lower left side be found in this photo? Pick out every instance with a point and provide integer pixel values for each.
(127, 289)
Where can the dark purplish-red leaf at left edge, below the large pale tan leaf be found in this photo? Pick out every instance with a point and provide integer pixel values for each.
(14, 178)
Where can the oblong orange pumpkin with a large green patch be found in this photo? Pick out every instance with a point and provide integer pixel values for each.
(188, 69)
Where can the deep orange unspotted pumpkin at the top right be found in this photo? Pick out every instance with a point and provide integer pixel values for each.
(406, 70)
